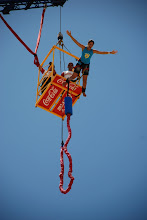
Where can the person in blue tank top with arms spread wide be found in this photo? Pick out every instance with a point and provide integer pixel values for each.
(84, 62)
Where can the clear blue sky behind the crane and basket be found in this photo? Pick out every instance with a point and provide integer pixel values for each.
(109, 126)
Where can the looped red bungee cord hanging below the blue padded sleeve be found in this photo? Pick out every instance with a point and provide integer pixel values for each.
(64, 148)
